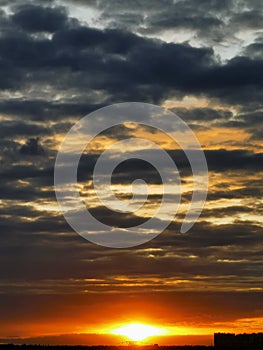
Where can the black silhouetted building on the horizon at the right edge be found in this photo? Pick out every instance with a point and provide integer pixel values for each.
(230, 341)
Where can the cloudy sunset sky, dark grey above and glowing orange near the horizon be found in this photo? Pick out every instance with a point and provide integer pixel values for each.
(63, 59)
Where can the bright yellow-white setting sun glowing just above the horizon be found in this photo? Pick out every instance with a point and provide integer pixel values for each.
(138, 331)
